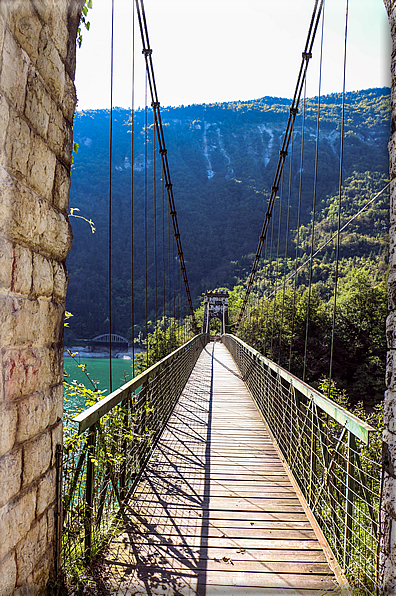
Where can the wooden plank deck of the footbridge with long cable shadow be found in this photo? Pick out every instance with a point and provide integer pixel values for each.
(216, 513)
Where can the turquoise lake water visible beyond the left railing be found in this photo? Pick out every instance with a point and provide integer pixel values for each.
(99, 371)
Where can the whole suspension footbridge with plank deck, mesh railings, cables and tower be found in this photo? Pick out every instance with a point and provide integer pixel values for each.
(217, 470)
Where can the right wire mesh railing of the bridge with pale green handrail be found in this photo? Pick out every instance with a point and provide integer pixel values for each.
(327, 450)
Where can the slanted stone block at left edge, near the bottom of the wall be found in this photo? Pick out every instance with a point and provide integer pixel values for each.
(15, 521)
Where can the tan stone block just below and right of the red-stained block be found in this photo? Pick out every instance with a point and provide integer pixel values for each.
(34, 414)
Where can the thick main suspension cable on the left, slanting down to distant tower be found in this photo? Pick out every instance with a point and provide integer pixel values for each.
(147, 51)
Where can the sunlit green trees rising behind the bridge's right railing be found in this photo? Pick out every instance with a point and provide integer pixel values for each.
(281, 326)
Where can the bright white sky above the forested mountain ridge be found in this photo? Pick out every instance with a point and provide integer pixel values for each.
(207, 51)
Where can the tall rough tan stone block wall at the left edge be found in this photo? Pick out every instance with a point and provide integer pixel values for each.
(37, 101)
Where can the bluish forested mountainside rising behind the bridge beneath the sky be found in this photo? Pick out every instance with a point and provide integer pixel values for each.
(222, 159)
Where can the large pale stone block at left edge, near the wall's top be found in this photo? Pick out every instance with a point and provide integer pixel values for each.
(14, 72)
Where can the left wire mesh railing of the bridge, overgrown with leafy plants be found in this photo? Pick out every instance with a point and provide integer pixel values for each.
(104, 458)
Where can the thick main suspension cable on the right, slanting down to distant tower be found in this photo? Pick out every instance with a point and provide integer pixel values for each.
(306, 56)
